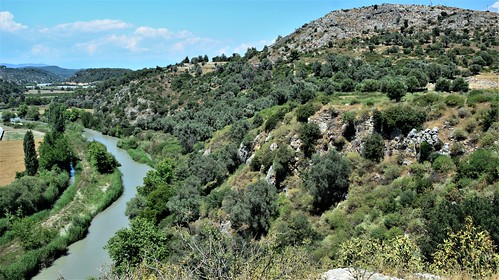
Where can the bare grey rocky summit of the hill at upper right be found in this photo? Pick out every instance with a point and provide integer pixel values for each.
(343, 24)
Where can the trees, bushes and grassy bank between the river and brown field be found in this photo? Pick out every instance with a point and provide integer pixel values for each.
(36, 207)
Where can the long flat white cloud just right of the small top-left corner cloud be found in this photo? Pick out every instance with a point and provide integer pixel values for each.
(98, 25)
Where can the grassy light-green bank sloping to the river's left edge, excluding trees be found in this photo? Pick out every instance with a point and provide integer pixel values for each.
(67, 221)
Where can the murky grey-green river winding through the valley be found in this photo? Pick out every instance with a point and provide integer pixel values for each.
(87, 257)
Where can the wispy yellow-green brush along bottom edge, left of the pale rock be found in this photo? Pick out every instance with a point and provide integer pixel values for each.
(209, 254)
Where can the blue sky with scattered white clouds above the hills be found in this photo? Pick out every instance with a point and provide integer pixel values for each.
(147, 33)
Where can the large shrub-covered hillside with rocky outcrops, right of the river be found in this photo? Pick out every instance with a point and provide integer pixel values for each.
(373, 150)
